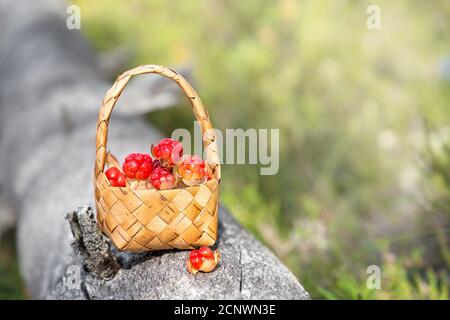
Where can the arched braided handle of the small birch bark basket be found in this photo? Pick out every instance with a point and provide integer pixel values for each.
(199, 110)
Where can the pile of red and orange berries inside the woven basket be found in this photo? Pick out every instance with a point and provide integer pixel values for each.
(169, 168)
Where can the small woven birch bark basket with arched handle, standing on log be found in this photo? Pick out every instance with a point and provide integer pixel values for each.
(144, 220)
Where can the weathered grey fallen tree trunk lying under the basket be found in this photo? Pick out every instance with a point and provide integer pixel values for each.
(50, 93)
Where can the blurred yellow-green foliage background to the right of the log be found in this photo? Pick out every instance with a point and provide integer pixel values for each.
(356, 186)
